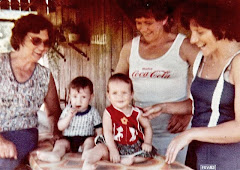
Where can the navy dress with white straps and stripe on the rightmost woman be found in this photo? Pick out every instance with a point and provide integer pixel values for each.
(213, 105)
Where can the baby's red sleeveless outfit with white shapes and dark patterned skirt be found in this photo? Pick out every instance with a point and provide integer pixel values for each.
(127, 132)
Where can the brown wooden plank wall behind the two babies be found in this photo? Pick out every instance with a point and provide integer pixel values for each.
(108, 29)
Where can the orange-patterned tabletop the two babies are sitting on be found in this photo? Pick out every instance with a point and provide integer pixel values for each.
(72, 161)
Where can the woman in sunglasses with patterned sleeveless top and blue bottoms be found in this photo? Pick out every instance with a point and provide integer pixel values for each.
(25, 86)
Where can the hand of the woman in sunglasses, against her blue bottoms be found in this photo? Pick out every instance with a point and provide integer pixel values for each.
(7, 149)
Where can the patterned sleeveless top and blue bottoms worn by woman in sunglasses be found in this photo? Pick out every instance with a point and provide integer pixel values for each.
(19, 103)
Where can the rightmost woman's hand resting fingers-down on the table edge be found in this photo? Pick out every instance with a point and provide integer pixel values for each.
(178, 143)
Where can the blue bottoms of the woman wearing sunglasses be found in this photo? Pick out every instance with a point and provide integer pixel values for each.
(25, 140)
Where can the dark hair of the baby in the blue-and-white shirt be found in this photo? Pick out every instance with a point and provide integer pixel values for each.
(81, 83)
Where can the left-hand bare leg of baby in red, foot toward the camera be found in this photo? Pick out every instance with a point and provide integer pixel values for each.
(100, 151)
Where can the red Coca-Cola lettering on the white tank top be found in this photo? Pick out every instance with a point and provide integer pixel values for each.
(151, 74)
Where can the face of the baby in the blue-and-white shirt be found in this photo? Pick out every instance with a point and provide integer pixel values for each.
(80, 99)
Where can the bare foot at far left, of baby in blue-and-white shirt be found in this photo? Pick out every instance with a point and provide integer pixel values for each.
(48, 156)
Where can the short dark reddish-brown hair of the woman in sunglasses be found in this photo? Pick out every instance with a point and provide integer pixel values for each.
(30, 23)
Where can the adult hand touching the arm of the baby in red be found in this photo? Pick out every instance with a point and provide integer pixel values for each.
(154, 110)
